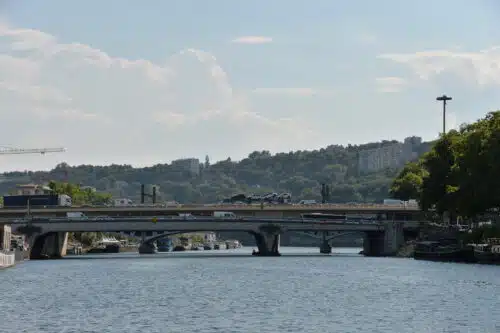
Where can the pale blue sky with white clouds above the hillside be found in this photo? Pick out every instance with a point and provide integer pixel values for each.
(125, 82)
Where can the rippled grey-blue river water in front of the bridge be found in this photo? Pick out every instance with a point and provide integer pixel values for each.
(230, 291)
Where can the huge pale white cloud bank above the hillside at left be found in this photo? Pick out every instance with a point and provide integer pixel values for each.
(108, 109)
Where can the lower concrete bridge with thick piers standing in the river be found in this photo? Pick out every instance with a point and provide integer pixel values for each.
(48, 237)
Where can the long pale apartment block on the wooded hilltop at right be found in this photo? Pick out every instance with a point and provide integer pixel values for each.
(394, 155)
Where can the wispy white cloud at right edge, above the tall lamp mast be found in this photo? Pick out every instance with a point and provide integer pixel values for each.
(483, 66)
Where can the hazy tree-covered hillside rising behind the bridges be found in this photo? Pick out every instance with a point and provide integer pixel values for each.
(300, 173)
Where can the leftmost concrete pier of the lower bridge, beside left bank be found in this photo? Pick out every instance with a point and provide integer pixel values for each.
(51, 245)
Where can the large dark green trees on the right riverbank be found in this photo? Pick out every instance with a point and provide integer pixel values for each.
(459, 175)
